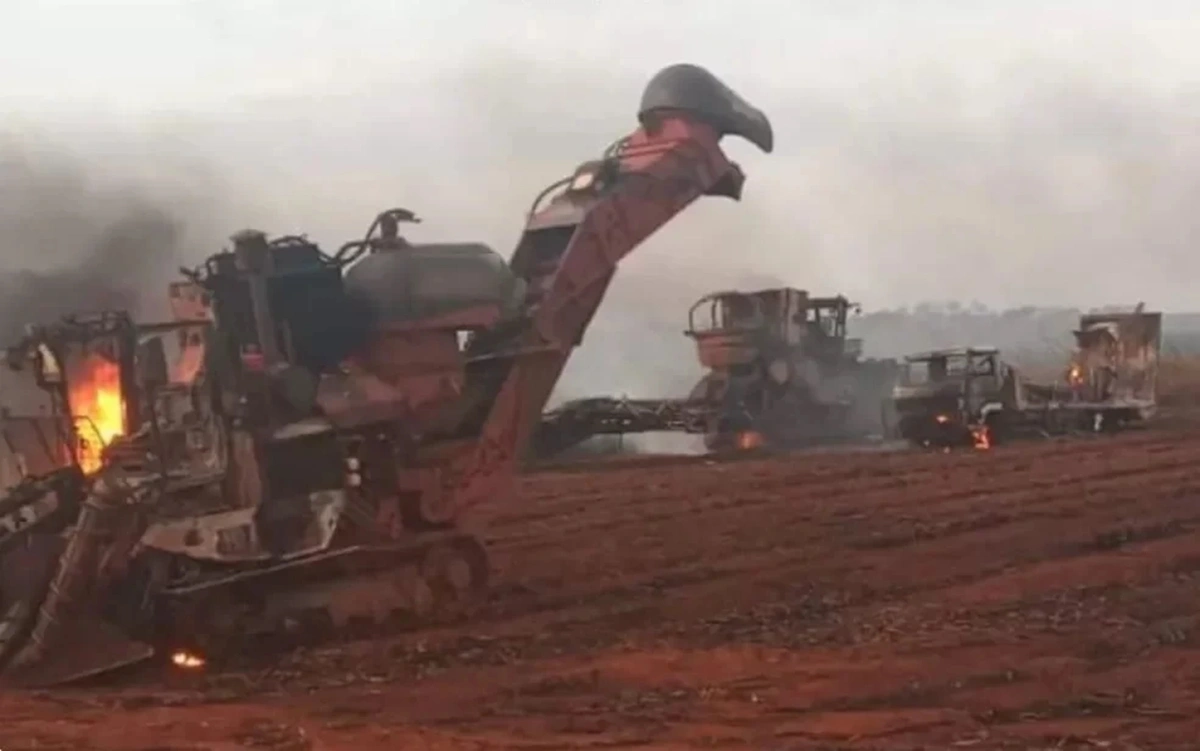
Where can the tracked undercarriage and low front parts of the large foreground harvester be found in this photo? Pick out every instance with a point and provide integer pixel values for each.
(58, 627)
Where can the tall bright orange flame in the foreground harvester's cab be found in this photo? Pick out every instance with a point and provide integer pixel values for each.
(98, 407)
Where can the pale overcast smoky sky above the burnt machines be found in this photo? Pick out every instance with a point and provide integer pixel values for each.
(1007, 152)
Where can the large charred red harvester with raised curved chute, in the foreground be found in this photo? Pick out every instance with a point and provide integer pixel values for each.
(297, 455)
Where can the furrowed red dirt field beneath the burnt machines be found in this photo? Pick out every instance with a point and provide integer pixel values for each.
(1035, 597)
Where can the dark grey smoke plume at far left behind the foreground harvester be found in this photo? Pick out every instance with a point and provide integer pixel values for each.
(85, 233)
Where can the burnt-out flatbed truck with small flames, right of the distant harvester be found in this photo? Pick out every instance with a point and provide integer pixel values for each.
(973, 396)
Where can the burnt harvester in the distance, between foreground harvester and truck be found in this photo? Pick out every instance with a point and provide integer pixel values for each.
(782, 373)
